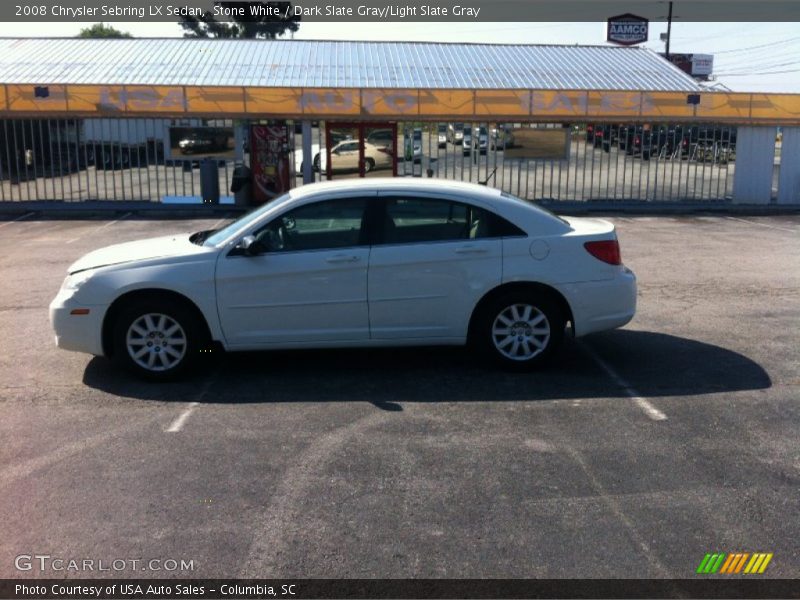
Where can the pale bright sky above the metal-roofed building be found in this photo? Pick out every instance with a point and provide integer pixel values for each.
(748, 57)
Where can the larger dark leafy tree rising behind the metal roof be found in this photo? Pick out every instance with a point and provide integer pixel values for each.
(265, 20)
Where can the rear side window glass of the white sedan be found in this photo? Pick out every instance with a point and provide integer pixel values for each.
(414, 220)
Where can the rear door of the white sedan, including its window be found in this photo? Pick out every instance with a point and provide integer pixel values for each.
(430, 266)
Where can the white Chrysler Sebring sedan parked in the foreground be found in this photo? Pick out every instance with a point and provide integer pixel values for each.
(373, 262)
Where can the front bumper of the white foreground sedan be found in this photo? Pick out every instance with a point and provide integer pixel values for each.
(77, 332)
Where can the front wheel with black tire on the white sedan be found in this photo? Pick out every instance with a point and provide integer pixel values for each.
(168, 361)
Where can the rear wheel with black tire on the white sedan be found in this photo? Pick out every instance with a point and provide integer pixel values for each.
(523, 344)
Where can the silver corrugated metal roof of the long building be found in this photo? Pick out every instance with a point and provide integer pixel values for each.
(335, 64)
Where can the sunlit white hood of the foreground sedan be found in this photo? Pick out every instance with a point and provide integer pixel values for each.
(169, 245)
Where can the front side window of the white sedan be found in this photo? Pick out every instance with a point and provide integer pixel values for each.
(319, 226)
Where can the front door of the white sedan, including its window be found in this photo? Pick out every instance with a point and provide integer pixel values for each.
(307, 282)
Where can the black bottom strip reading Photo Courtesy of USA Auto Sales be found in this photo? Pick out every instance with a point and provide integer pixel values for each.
(247, 589)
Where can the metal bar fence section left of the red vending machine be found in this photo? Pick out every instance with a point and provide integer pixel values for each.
(96, 159)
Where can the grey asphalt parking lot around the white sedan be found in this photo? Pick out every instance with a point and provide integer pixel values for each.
(636, 453)
